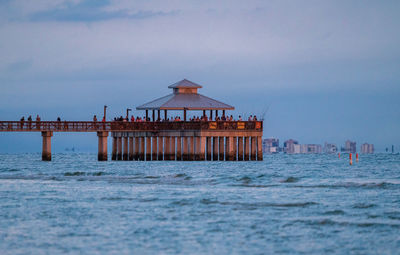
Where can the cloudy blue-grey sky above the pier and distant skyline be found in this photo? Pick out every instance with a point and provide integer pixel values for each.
(315, 71)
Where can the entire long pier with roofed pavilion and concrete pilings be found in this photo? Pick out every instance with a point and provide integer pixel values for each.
(157, 139)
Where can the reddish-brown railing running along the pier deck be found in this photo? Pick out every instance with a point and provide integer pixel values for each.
(91, 126)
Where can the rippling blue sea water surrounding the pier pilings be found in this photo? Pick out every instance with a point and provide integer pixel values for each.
(287, 204)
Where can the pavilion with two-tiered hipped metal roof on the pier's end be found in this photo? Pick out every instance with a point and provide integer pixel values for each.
(186, 98)
